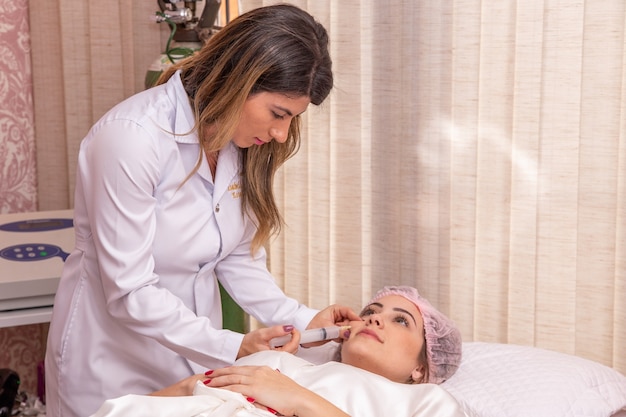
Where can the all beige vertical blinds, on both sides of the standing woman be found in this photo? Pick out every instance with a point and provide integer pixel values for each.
(473, 149)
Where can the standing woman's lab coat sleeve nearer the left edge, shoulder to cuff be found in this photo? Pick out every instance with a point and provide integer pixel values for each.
(118, 193)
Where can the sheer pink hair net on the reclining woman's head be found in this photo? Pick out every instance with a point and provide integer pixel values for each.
(443, 339)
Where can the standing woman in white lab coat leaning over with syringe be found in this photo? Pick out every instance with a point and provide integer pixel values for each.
(173, 193)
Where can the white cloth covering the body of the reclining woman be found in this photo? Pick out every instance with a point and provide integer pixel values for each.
(357, 392)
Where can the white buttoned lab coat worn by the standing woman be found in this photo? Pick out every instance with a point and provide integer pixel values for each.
(138, 307)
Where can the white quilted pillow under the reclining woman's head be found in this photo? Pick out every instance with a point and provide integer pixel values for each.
(501, 380)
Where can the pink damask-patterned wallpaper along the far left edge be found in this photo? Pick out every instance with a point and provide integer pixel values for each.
(22, 347)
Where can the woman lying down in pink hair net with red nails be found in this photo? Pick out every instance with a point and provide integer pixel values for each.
(389, 365)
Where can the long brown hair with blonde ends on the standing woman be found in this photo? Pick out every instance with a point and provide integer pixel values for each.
(277, 49)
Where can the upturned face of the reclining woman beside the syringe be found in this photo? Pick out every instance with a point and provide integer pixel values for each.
(388, 340)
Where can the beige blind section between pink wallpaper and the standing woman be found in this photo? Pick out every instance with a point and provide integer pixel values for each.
(87, 56)
